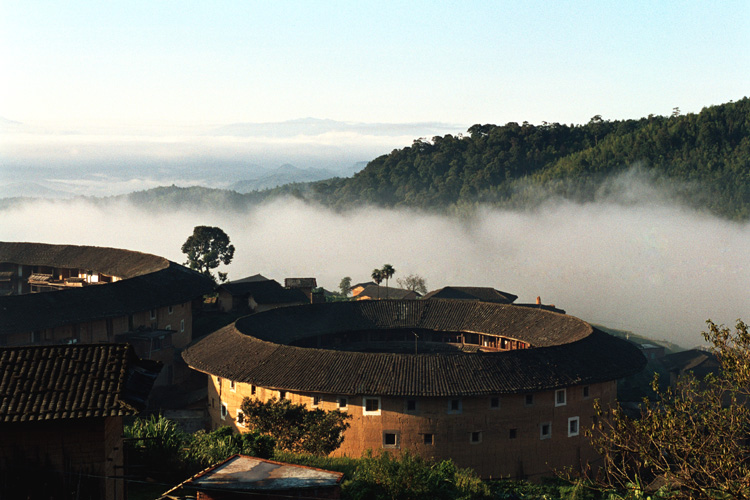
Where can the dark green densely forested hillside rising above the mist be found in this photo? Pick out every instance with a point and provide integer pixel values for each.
(704, 160)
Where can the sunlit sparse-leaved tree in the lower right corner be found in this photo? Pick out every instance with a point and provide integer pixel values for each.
(694, 439)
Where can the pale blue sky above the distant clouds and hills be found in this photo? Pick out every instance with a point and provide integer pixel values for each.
(174, 63)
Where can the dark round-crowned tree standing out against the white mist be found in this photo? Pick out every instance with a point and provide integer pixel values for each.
(206, 248)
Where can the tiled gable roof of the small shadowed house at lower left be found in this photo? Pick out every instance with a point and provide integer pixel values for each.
(73, 381)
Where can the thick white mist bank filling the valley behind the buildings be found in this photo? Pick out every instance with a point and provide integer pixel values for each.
(654, 269)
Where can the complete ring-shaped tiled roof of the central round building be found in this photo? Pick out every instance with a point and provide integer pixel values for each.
(566, 351)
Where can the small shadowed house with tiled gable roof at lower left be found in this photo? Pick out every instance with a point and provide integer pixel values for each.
(61, 410)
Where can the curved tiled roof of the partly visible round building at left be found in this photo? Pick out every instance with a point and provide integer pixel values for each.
(150, 282)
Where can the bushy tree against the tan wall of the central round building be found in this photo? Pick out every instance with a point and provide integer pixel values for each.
(294, 427)
